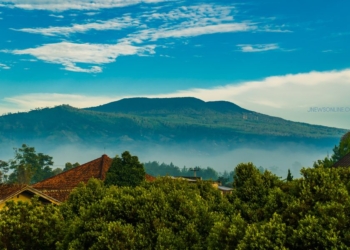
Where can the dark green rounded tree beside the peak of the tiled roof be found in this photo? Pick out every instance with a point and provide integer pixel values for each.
(125, 171)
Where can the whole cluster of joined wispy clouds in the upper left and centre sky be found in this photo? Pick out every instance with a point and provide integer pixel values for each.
(180, 22)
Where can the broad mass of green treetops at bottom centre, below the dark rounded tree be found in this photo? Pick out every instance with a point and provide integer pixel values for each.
(166, 214)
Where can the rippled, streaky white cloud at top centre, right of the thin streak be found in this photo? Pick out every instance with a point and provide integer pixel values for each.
(189, 22)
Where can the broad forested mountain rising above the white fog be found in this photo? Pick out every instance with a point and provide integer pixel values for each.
(160, 121)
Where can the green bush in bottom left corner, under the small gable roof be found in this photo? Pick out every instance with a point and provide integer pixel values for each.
(30, 226)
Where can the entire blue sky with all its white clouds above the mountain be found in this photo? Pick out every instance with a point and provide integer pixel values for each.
(275, 57)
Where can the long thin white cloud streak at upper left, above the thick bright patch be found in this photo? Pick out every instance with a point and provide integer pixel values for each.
(112, 24)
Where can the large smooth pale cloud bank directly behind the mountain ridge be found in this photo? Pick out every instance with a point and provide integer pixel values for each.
(289, 97)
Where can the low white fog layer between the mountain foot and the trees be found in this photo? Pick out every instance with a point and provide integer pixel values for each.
(278, 160)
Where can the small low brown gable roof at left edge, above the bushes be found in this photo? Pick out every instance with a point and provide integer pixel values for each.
(8, 191)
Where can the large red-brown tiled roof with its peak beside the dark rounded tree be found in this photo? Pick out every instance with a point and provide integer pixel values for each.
(60, 186)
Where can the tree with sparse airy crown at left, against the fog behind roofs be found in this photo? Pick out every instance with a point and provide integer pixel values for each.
(30, 165)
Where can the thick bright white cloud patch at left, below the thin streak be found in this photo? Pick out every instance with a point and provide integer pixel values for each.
(69, 54)
